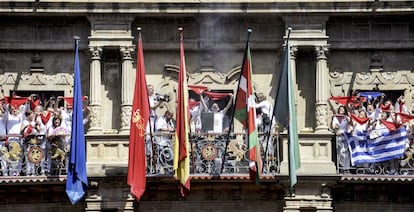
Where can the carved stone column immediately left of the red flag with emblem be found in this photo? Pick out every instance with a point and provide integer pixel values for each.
(127, 90)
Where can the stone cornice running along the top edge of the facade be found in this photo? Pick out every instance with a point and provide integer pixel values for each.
(152, 7)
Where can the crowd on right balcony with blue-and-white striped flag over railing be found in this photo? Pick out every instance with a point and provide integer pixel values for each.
(370, 130)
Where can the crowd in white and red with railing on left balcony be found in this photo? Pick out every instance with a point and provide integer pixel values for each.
(35, 134)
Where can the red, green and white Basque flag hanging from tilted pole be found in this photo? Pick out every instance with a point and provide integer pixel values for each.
(245, 112)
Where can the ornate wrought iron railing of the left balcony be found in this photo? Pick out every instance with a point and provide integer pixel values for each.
(34, 155)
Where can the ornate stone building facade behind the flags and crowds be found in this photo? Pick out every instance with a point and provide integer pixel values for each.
(337, 47)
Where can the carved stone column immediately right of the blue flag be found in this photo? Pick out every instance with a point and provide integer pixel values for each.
(95, 91)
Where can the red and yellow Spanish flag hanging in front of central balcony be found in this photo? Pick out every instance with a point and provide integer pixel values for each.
(181, 145)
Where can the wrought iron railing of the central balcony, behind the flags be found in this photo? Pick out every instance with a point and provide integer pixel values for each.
(207, 154)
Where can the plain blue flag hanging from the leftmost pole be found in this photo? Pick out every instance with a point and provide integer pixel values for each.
(77, 180)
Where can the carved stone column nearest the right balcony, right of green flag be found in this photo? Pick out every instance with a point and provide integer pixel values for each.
(322, 77)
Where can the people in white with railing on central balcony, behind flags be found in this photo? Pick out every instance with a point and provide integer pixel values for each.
(210, 117)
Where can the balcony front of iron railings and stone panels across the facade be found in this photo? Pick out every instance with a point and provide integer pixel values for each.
(37, 156)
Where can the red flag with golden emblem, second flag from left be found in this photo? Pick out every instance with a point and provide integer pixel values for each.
(139, 120)
